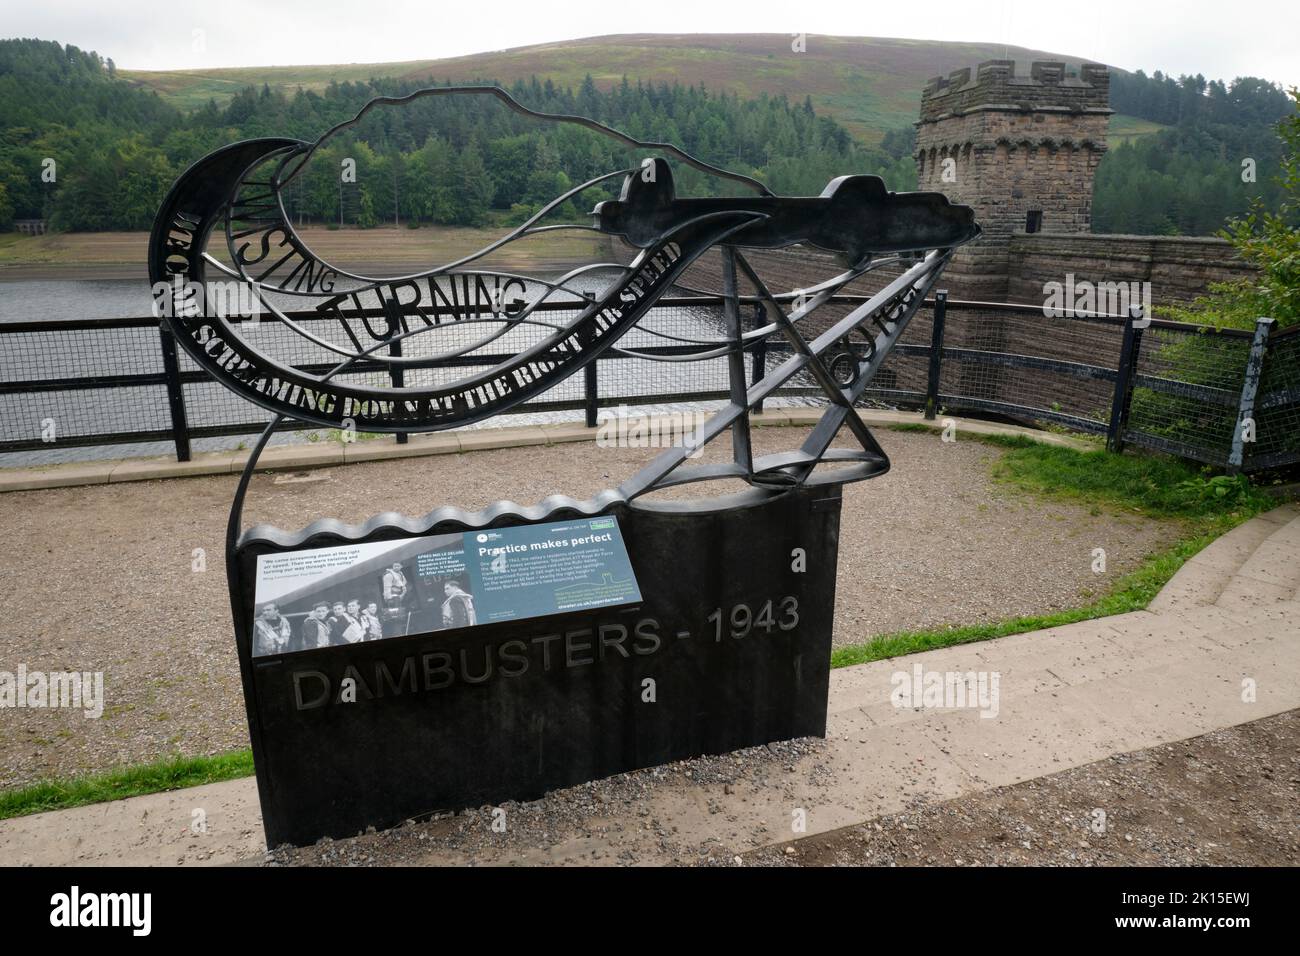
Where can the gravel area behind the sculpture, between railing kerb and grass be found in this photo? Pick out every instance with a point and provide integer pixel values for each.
(101, 578)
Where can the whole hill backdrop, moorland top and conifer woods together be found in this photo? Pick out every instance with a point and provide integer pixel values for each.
(746, 102)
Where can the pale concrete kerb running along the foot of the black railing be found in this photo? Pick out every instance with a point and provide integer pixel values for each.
(328, 455)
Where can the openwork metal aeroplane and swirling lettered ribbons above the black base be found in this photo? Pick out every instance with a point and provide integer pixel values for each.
(239, 193)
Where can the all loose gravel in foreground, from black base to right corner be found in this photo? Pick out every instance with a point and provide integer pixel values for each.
(1224, 799)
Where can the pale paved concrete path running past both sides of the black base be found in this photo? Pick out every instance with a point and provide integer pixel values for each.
(1228, 622)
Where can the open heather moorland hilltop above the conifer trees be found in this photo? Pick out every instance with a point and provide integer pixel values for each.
(869, 85)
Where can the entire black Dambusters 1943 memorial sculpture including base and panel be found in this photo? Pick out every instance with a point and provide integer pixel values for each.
(410, 667)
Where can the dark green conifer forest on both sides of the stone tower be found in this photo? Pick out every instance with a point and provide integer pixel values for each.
(90, 152)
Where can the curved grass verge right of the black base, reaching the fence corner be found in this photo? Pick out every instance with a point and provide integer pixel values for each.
(1152, 486)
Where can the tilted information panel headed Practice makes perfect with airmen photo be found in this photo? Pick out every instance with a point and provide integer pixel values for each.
(354, 594)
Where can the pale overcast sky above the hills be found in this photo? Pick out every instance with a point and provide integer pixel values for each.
(1220, 40)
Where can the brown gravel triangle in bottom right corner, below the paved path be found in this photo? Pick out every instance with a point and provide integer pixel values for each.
(1224, 799)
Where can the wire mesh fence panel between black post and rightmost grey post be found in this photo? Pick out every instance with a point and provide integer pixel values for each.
(1188, 392)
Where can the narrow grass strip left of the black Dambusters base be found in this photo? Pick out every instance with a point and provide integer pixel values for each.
(118, 785)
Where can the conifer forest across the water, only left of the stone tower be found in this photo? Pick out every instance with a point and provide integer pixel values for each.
(460, 162)
